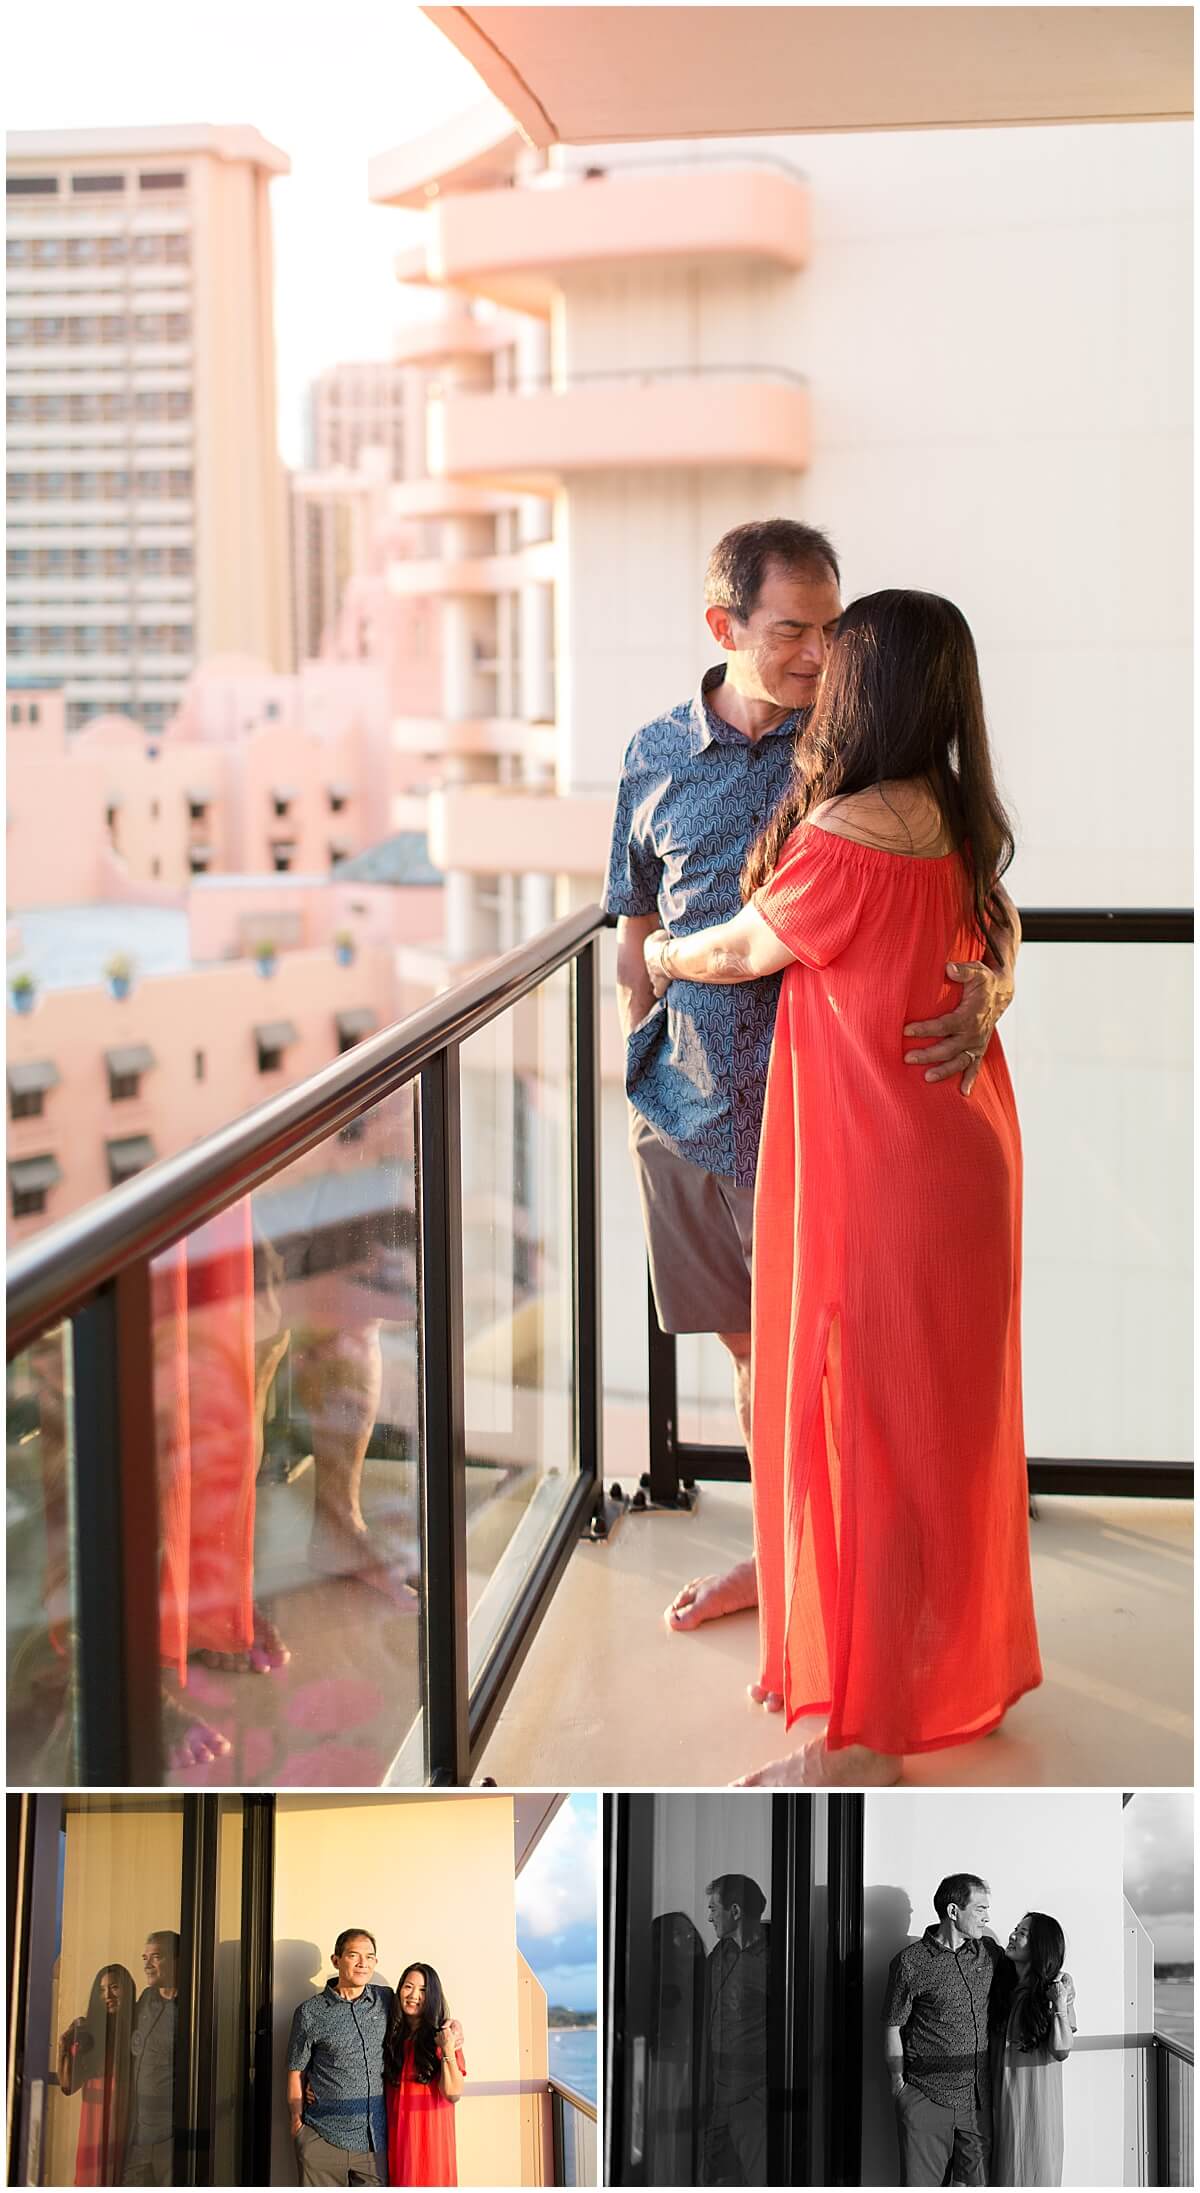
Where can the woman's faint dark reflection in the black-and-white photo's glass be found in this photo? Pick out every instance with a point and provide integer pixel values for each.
(677, 2025)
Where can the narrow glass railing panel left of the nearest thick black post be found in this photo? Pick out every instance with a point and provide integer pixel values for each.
(41, 1595)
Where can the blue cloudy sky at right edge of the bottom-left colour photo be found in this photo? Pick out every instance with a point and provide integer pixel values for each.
(558, 1907)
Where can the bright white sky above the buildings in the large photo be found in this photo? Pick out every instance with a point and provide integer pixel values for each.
(328, 84)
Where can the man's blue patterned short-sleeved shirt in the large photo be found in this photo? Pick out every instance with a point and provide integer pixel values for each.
(694, 797)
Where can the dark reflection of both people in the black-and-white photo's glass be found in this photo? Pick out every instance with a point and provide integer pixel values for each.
(707, 2091)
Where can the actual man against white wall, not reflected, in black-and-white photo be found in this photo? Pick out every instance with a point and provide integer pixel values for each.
(936, 2041)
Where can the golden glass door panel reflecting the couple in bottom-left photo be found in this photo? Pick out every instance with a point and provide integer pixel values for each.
(115, 2005)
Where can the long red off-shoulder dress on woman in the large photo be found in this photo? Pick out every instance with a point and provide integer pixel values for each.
(892, 1530)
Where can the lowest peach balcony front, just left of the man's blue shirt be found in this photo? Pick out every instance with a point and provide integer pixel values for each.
(493, 830)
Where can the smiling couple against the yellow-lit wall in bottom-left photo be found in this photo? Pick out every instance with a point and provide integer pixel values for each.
(374, 2076)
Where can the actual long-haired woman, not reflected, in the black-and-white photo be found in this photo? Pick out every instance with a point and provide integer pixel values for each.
(1032, 2019)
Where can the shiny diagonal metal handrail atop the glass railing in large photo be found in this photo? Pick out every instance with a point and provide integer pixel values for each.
(65, 1266)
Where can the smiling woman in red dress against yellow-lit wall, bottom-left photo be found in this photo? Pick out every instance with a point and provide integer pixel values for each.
(424, 2076)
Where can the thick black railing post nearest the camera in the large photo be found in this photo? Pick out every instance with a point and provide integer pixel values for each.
(115, 1532)
